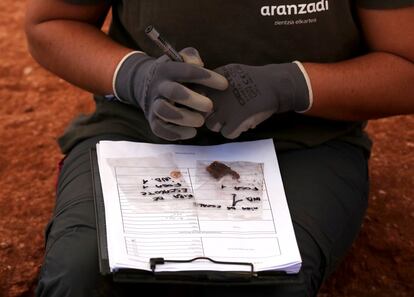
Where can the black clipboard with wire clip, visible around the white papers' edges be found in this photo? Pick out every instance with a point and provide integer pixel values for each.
(129, 275)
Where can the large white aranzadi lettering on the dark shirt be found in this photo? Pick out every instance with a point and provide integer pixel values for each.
(295, 9)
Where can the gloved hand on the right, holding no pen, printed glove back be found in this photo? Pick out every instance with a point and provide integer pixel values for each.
(255, 93)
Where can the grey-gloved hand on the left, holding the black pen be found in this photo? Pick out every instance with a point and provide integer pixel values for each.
(155, 85)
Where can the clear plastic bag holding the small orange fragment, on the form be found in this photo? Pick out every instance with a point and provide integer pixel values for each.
(153, 183)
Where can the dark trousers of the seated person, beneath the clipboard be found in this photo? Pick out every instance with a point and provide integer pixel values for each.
(327, 193)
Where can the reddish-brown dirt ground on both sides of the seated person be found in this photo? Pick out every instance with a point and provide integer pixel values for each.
(35, 108)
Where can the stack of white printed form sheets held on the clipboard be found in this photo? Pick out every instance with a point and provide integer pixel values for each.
(225, 202)
